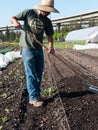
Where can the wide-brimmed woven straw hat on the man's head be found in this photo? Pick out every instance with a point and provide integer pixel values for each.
(47, 5)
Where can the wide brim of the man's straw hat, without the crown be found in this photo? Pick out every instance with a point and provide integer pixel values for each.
(46, 8)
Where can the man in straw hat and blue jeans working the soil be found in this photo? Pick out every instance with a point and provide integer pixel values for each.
(35, 22)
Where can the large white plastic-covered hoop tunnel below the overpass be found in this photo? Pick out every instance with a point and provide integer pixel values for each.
(90, 33)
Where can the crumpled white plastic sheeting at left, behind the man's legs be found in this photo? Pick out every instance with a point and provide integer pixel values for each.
(7, 58)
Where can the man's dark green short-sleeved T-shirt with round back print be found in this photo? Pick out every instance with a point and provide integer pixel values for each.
(36, 24)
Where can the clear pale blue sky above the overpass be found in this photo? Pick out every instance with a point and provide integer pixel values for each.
(9, 8)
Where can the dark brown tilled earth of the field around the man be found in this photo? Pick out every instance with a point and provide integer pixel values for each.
(71, 107)
